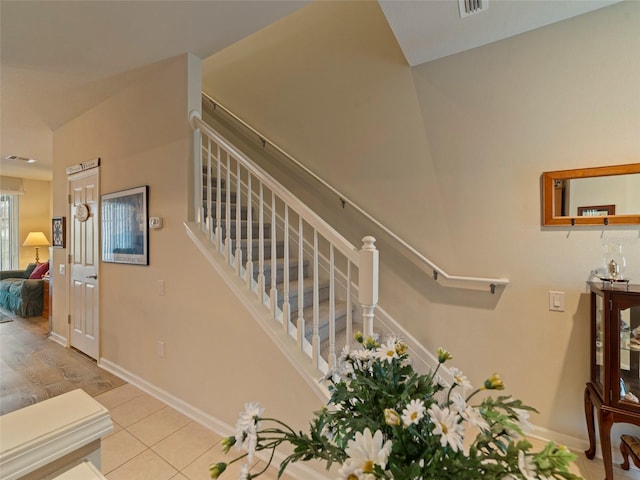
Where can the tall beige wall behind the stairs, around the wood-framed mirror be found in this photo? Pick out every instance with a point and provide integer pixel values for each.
(449, 155)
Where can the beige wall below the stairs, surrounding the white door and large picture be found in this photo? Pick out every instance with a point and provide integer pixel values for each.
(216, 358)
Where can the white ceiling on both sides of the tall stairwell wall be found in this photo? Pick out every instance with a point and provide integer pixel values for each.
(60, 57)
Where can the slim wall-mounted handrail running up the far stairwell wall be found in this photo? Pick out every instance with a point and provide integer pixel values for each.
(437, 271)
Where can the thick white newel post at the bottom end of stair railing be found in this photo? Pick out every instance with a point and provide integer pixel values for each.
(368, 282)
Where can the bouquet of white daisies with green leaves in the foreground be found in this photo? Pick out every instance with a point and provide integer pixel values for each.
(386, 421)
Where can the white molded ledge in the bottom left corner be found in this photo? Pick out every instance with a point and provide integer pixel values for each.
(45, 439)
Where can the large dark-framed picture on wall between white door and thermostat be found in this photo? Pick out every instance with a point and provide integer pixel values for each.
(125, 226)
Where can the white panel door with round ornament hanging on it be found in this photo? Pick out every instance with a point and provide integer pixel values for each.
(83, 261)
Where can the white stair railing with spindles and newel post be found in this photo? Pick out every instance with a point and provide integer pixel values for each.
(298, 266)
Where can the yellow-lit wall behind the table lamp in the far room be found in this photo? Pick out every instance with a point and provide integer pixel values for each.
(35, 216)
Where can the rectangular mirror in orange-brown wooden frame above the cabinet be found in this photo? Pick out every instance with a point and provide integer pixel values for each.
(592, 196)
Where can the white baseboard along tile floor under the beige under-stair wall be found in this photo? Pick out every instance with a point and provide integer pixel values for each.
(295, 470)
